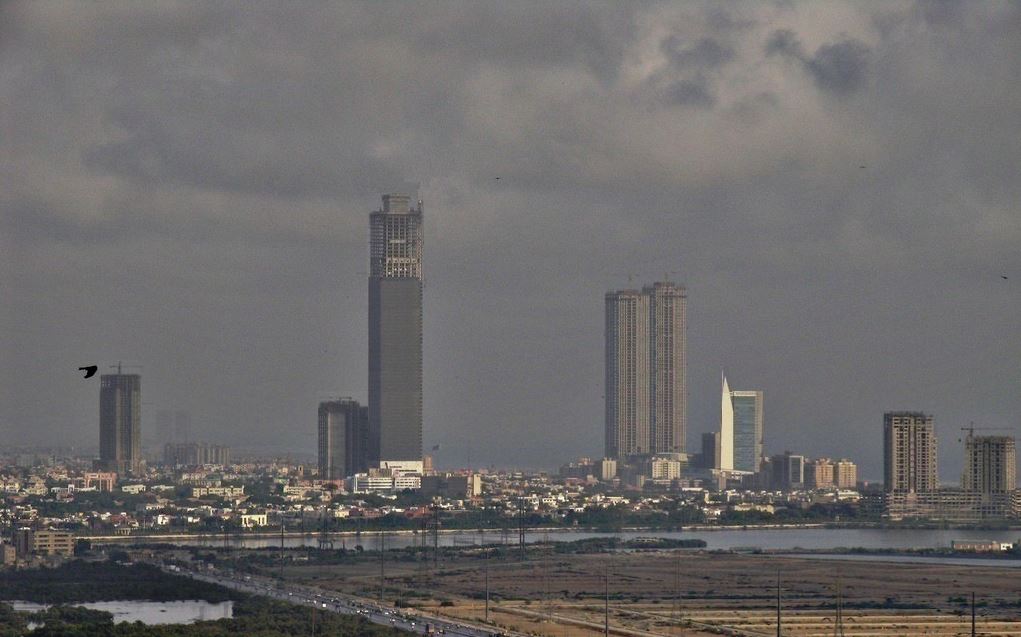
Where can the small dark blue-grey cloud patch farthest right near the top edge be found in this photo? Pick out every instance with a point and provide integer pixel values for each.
(841, 68)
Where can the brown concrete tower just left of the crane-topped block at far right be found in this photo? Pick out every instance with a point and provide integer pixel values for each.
(909, 453)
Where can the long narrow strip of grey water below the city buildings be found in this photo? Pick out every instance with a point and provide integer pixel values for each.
(730, 538)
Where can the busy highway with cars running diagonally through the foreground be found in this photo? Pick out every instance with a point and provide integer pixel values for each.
(405, 619)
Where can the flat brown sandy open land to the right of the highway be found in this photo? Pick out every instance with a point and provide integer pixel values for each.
(689, 594)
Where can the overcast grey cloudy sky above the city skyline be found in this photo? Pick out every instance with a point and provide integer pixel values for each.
(186, 187)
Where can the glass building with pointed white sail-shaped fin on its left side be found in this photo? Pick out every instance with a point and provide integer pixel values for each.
(741, 429)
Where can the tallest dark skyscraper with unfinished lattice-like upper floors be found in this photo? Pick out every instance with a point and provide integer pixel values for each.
(396, 331)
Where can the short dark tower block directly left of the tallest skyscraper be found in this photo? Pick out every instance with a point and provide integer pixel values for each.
(344, 439)
